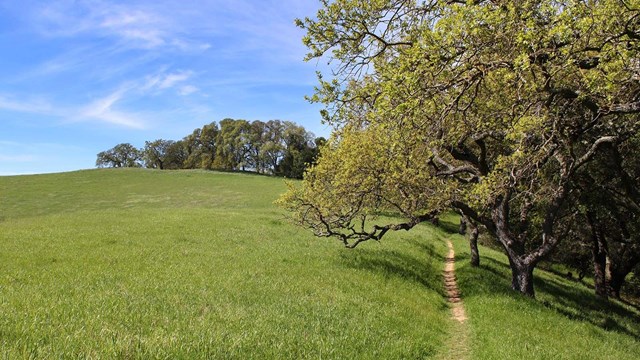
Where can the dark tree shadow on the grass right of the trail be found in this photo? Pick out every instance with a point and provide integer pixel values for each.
(575, 301)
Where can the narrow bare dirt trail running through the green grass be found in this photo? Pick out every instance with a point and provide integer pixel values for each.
(458, 342)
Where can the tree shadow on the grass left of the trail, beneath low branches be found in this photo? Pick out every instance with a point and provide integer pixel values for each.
(425, 270)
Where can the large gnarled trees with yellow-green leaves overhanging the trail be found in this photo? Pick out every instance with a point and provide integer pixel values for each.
(521, 115)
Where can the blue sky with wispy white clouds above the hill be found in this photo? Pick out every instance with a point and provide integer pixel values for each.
(78, 77)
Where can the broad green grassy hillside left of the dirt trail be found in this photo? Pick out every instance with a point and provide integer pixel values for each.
(185, 265)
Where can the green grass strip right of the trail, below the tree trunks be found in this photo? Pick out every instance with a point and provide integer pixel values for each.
(565, 321)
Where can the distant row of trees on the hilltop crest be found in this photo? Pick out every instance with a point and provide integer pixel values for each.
(274, 147)
